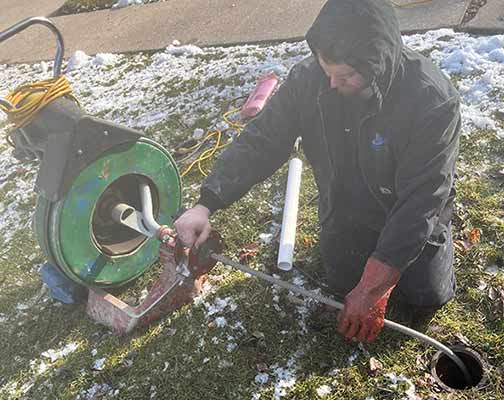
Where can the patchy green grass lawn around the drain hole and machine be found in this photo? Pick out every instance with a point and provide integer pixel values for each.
(183, 358)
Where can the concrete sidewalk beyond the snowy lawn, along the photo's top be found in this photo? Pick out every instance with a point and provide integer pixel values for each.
(154, 26)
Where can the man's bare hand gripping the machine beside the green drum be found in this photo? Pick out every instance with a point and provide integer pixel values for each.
(193, 227)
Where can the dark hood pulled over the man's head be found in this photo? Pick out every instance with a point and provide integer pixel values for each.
(364, 34)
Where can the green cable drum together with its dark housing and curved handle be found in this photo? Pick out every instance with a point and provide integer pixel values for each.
(88, 166)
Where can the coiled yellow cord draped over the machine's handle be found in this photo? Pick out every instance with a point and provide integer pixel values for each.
(27, 100)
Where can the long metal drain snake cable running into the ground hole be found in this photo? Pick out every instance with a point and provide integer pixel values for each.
(330, 302)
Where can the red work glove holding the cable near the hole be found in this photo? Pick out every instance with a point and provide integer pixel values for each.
(364, 312)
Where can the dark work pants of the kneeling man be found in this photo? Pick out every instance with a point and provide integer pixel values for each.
(428, 282)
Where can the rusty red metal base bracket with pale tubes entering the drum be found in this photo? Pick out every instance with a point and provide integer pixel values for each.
(180, 281)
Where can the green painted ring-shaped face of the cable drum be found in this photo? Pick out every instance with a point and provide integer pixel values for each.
(70, 222)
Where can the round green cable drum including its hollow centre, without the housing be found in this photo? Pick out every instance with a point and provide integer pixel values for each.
(79, 236)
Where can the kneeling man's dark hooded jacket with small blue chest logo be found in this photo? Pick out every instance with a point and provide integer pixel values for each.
(407, 136)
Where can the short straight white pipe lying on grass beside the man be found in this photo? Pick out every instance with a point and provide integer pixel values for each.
(289, 220)
